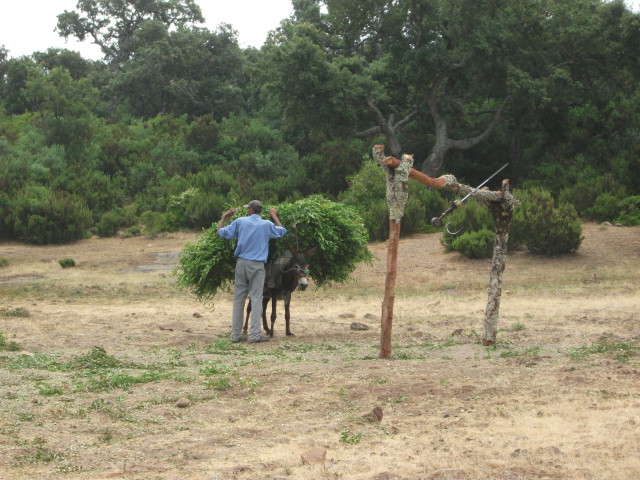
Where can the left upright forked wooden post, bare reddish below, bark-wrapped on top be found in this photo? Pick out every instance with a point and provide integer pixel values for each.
(397, 194)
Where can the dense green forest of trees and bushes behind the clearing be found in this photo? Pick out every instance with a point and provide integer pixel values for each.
(176, 122)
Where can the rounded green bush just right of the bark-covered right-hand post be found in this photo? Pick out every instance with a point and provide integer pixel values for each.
(551, 230)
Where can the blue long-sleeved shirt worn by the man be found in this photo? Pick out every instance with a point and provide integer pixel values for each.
(253, 234)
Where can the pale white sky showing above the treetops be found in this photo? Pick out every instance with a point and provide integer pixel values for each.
(27, 26)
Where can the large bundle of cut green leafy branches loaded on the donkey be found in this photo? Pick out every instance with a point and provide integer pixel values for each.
(208, 265)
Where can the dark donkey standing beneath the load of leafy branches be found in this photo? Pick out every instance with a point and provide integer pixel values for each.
(283, 275)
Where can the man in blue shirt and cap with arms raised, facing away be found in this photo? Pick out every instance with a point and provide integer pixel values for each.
(253, 234)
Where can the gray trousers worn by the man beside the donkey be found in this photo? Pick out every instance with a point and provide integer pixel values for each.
(249, 280)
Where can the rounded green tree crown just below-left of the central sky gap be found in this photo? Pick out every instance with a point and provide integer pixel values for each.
(192, 71)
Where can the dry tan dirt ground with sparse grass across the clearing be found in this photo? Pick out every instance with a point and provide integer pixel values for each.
(557, 398)
